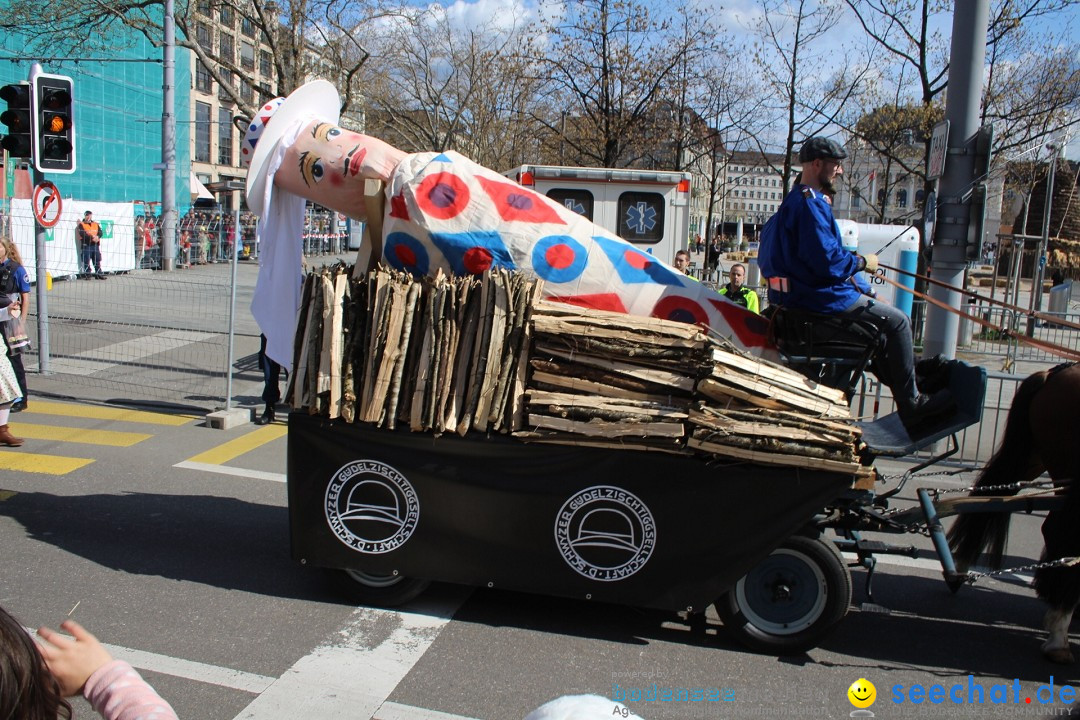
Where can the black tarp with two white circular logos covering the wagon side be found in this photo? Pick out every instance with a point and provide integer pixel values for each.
(649, 529)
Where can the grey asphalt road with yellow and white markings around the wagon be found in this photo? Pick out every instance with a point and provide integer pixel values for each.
(174, 549)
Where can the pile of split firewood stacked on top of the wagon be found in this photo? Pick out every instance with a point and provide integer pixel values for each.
(488, 355)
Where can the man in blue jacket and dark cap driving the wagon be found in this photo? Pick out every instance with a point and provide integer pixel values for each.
(803, 256)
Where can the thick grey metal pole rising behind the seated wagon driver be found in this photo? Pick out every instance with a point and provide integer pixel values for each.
(967, 60)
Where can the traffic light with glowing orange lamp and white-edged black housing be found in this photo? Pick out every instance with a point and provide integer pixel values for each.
(55, 124)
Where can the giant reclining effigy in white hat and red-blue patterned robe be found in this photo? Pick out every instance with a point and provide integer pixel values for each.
(440, 211)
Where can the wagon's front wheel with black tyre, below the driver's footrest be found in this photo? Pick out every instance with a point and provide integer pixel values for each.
(791, 600)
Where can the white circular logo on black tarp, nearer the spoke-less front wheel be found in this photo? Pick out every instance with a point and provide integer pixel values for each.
(605, 534)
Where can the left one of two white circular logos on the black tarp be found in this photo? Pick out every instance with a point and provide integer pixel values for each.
(371, 507)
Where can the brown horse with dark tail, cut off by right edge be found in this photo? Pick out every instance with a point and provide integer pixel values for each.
(1042, 436)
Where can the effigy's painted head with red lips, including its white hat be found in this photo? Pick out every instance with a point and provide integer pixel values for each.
(299, 142)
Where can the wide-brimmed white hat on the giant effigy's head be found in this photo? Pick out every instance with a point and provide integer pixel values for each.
(316, 101)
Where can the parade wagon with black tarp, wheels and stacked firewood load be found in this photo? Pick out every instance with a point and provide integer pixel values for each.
(719, 494)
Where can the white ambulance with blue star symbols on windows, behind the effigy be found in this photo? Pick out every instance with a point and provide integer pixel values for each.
(650, 209)
